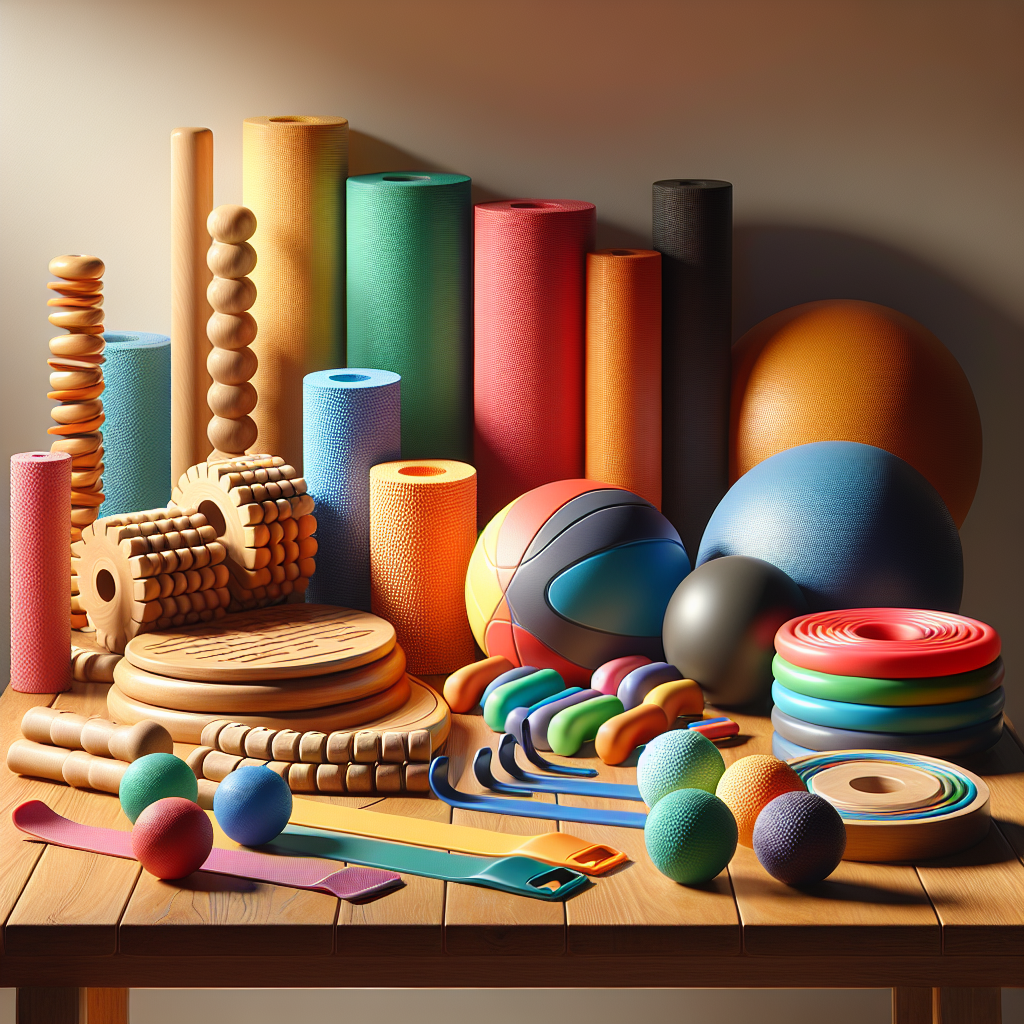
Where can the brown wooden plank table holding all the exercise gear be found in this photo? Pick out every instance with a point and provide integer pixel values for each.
(81, 929)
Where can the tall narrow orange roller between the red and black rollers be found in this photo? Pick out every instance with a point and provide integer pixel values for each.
(624, 370)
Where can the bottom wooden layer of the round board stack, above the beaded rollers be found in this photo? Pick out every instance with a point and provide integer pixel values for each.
(406, 707)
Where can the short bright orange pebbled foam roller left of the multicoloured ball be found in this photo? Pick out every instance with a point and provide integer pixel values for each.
(422, 533)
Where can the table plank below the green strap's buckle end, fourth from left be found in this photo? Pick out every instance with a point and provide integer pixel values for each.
(483, 921)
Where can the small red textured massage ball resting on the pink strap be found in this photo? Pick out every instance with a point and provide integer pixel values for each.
(173, 838)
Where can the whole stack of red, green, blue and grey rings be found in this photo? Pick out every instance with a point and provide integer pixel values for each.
(893, 679)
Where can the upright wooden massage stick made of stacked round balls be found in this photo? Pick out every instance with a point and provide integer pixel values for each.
(232, 330)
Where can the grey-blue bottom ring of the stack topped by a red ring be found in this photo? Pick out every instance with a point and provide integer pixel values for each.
(956, 743)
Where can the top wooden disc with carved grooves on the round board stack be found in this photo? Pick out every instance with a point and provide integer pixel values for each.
(289, 642)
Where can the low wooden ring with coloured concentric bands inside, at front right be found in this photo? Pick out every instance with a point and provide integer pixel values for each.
(900, 806)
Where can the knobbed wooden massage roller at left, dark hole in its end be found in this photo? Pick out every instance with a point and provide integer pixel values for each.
(150, 571)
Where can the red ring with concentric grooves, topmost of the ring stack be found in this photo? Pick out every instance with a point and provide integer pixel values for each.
(888, 644)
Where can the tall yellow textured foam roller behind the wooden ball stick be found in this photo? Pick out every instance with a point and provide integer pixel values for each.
(293, 180)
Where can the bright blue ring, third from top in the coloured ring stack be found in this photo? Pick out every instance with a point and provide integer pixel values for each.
(871, 718)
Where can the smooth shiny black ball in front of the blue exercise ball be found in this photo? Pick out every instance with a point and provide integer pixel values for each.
(720, 627)
